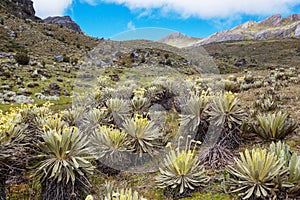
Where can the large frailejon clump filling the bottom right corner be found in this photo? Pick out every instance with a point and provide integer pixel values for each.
(264, 174)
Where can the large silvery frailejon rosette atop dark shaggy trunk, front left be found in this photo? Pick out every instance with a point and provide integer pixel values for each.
(65, 154)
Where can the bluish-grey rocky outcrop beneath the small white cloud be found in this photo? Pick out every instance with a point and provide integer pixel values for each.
(65, 21)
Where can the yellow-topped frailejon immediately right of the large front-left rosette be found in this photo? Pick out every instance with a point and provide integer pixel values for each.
(110, 147)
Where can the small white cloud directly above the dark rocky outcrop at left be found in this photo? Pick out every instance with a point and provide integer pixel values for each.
(45, 8)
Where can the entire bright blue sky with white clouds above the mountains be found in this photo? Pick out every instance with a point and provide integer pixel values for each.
(154, 19)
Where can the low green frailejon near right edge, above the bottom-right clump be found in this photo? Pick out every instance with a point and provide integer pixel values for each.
(274, 126)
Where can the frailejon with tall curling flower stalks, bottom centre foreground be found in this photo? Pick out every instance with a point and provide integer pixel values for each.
(181, 170)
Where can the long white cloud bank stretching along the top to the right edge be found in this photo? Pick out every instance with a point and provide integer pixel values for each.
(208, 9)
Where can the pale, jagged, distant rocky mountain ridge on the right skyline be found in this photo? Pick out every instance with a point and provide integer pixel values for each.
(273, 27)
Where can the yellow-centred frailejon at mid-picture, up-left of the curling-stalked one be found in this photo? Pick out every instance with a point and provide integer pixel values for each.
(143, 135)
